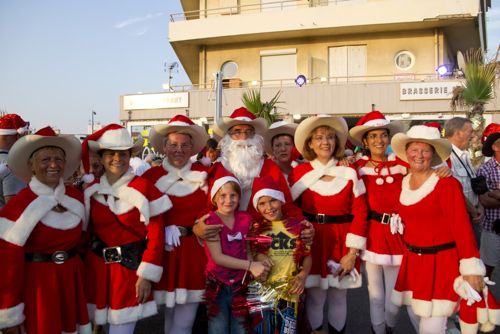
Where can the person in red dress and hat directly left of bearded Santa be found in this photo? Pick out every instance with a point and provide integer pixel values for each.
(183, 284)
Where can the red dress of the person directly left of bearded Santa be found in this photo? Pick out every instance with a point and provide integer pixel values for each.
(184, 279)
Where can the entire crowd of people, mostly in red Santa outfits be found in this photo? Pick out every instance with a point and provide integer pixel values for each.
(259, 229)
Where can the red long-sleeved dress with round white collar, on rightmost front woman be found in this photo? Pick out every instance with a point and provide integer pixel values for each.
(433, 215)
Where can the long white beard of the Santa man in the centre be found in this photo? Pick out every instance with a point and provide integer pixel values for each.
(243, 158)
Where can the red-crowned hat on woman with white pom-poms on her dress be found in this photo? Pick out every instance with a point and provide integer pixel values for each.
(373, 120)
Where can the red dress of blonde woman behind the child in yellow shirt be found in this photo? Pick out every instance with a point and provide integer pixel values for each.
(341, 196)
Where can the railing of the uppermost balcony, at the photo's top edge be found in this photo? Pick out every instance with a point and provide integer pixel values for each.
(254, 8)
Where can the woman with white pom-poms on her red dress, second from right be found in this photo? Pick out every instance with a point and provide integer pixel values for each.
(382, 175)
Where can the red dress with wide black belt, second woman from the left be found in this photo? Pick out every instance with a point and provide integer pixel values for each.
(127, 211)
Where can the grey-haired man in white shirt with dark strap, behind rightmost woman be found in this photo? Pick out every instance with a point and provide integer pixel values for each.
(458, 130)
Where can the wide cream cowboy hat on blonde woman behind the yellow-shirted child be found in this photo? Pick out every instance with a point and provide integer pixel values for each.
(338, 124)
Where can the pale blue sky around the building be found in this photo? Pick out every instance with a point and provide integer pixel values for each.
(62, 59)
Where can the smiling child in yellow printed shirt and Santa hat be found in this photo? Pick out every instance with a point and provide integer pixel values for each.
(290, 258)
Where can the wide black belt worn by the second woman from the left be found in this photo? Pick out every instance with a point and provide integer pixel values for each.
(128, 255)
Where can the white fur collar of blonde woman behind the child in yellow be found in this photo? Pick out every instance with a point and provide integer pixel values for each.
(311, 180)
